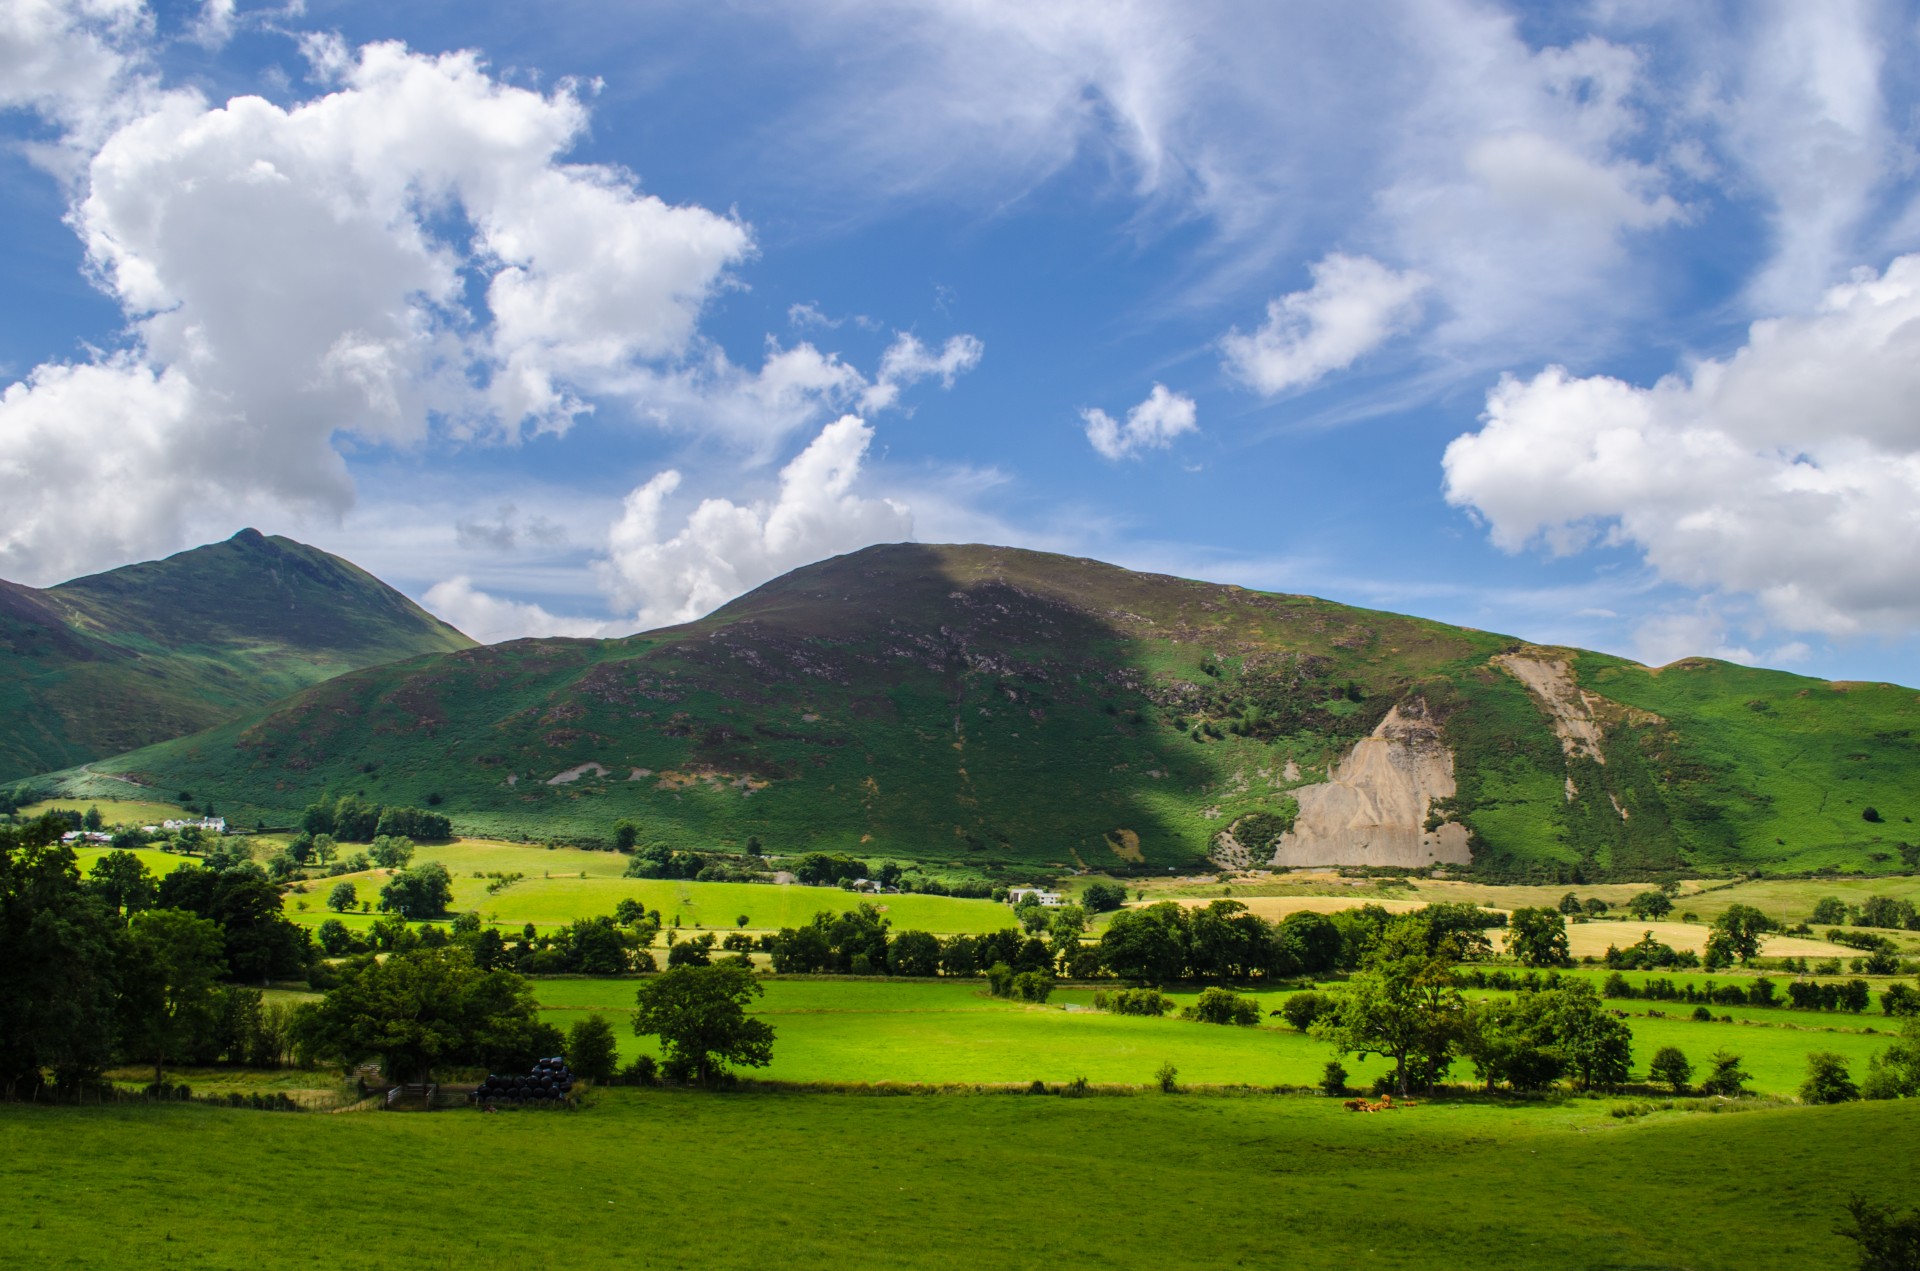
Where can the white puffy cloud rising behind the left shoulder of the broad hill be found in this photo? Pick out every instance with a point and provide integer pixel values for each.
(727, 548)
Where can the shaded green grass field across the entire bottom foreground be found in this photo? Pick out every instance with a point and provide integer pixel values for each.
(673, 1180)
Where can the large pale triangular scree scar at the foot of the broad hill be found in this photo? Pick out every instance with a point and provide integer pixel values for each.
(1372, 811)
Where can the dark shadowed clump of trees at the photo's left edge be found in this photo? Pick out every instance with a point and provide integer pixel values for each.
(124, 967)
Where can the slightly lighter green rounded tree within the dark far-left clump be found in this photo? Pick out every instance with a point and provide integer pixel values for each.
(178, 961)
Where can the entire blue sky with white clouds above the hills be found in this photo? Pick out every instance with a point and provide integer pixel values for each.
(1587, 324)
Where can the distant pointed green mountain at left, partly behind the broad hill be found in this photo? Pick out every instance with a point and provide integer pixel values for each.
(168, 648)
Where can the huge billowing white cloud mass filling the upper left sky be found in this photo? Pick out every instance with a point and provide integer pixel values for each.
(291, 281)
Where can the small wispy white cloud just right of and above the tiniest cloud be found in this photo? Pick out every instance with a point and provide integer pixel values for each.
(1355, 306)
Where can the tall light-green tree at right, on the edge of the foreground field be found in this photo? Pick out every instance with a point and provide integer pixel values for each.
(1404, 1005)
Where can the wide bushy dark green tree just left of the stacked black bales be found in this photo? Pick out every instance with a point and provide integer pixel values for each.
(423, 1009)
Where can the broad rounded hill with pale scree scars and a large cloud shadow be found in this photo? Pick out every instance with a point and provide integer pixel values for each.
(988, 706)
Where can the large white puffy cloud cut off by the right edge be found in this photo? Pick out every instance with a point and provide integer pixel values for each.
(1788, 473)
